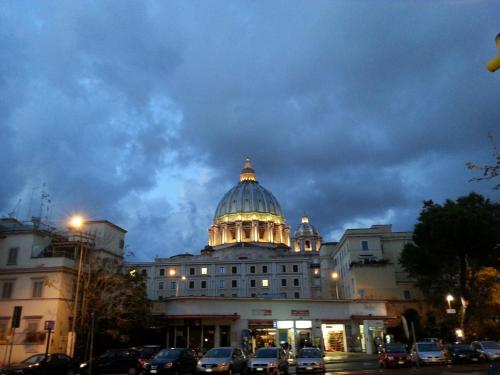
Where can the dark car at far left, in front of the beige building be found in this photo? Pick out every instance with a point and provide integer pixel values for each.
(53, 364)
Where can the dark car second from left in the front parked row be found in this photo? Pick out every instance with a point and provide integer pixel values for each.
(122, 361)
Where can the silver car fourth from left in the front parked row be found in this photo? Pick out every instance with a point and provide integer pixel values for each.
(224, 360)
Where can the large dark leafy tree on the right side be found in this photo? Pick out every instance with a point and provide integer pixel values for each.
(453, 242)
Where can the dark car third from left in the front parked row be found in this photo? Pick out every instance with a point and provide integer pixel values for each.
(174, 361)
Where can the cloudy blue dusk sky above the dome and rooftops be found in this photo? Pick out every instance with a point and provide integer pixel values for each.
(142, 112)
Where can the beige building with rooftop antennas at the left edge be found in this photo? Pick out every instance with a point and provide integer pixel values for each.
(38, 269)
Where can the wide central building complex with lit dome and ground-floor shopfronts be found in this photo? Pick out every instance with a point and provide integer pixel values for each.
(253, 285)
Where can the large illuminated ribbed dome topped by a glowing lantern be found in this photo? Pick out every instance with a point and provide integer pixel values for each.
(248, 213)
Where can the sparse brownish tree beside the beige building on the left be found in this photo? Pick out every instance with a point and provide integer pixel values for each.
(119, 303)
